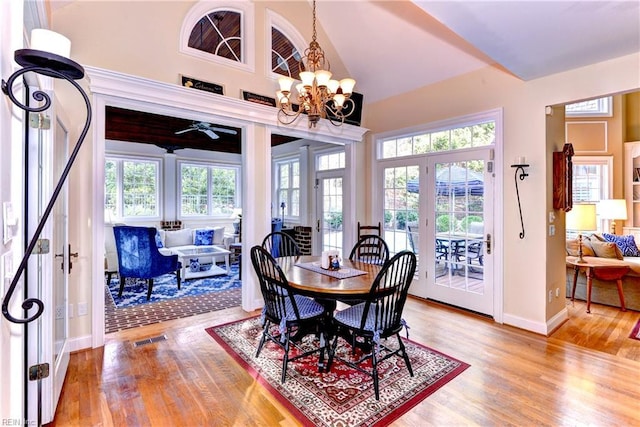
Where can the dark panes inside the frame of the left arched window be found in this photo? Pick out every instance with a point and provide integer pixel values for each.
(219, 33)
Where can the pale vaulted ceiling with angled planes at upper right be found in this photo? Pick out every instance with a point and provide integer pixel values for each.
(399, 46)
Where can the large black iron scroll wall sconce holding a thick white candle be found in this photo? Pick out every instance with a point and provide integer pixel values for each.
(48, 56)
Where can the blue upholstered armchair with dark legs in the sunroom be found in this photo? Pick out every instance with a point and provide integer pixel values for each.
(138, 256)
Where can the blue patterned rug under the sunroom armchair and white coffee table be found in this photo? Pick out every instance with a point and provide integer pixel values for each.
(165, 288)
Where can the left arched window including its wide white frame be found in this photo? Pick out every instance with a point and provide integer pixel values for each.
(218, 32)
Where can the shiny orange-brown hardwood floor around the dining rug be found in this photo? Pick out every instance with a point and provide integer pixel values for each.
(586, 373)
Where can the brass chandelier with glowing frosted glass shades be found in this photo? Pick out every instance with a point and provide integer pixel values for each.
(319, 96)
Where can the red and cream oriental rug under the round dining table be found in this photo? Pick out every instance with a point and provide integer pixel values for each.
(344, 396)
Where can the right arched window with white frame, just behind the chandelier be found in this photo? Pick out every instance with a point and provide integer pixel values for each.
(286, 46)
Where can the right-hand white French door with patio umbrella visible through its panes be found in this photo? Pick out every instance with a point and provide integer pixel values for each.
(460, 214)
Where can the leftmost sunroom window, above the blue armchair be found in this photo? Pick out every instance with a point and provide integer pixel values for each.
(132, 189)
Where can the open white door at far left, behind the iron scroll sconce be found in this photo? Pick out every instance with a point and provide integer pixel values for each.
(47, 275)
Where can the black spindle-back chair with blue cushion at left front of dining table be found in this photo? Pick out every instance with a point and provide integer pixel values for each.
(291, 314)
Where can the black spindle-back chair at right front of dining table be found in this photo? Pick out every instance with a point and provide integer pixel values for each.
(377, 318)
